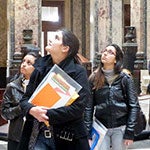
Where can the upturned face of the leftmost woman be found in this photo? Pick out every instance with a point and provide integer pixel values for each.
(27, 66)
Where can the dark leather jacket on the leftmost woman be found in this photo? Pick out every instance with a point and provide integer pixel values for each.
(11, 109)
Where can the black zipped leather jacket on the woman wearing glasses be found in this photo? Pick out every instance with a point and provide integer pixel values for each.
(115, 105)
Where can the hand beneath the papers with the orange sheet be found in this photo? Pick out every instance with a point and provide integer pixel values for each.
(39, 113)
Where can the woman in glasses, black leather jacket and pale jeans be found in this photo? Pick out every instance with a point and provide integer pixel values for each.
(115, 107)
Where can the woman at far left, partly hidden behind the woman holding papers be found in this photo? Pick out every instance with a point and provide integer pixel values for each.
(10, 105)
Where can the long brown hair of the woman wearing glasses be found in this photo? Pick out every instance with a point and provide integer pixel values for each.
(98, 77)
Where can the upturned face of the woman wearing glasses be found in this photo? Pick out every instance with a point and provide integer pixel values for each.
(108, 56)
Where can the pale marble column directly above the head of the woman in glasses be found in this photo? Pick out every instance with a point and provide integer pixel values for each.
(110, 23)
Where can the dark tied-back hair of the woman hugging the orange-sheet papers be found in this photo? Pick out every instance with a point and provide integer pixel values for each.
(70, 39)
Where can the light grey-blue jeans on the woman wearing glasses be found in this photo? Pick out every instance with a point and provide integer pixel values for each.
(113, 139)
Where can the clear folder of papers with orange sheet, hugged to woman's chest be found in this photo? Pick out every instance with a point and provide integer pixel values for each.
(57, 89)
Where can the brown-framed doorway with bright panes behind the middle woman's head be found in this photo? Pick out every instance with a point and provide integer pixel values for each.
(52, 20)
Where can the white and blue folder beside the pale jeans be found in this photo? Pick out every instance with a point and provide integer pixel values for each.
(98, 133)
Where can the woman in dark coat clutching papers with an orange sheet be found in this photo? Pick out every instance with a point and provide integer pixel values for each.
(67, 130)
